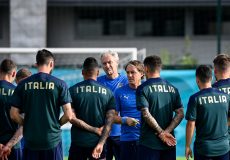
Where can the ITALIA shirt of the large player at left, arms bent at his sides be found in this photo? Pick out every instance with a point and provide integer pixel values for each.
(40, 97)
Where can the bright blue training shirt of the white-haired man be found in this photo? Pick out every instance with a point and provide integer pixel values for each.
(113, 84)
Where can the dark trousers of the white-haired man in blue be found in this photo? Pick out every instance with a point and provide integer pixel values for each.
(113, 148)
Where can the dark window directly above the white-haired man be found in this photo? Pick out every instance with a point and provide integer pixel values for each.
(94, 22)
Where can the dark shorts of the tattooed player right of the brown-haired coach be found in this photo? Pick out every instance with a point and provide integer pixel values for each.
(146, 153)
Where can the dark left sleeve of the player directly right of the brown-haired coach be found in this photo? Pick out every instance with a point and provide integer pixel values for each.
(141, 99)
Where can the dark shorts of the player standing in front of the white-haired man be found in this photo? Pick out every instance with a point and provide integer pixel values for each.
(83, 153)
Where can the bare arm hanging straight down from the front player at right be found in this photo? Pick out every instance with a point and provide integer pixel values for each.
(190, 127)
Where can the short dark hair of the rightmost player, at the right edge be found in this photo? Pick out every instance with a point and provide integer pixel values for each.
(222, 62)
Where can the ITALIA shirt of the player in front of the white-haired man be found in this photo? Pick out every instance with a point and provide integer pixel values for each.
(91, 100)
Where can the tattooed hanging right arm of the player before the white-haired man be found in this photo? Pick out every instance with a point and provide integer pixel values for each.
(108, 124)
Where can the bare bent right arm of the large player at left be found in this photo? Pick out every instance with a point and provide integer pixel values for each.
(68, 114)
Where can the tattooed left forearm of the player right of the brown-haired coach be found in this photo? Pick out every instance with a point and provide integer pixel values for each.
(151, 120)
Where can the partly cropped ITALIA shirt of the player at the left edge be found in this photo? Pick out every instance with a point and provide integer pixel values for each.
(7, 126)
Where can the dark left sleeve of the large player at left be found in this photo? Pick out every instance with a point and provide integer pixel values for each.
(16, 99)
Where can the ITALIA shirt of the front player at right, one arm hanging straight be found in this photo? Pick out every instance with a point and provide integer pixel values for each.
(209, 109)
